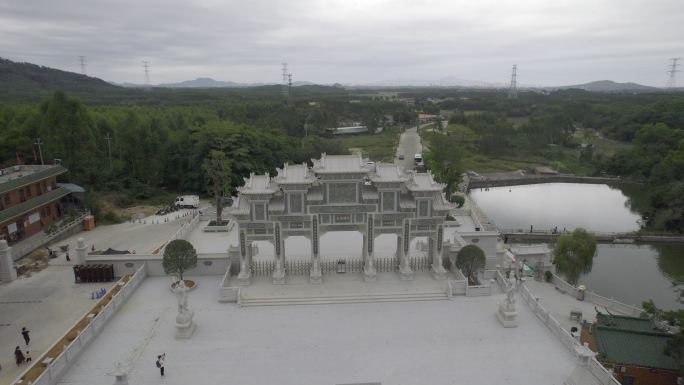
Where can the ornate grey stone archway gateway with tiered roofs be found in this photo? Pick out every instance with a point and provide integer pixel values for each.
(340, 193)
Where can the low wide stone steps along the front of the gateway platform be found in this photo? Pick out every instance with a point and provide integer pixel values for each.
(247, 301)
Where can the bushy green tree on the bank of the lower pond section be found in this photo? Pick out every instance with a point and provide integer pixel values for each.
(574, 254)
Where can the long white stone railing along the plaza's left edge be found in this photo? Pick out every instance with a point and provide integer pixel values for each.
(59, 365)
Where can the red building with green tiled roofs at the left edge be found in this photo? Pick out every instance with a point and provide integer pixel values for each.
(29, 200)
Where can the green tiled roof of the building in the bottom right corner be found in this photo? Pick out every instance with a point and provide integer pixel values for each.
(631, 341)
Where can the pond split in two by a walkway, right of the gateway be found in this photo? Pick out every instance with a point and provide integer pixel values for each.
(628, 273)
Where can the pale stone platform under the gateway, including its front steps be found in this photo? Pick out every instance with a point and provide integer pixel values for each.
(343, 288)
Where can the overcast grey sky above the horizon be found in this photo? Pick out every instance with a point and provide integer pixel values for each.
(553, 42)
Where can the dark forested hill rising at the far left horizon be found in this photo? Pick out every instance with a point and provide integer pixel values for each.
(30, 82)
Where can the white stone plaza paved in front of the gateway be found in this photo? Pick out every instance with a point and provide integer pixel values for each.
(431, 342)
